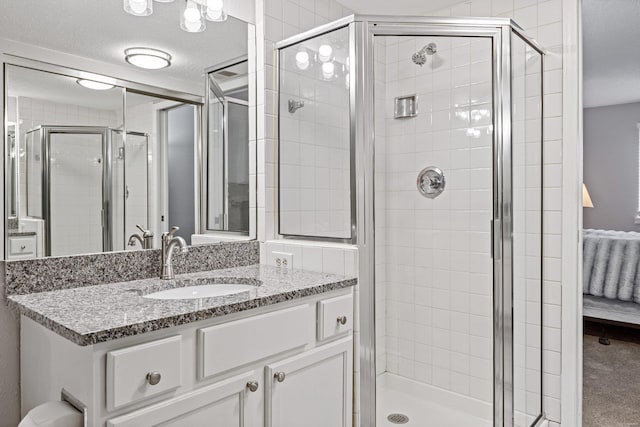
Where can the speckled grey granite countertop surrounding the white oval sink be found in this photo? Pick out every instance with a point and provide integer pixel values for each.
(93, 314)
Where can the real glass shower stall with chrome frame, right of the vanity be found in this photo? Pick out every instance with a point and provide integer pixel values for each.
(438, 122)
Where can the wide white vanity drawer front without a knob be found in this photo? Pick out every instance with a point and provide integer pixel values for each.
(238, 343)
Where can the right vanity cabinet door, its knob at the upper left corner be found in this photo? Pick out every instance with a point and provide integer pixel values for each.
(312, 389)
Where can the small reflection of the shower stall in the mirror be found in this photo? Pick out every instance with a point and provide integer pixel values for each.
(64, 167)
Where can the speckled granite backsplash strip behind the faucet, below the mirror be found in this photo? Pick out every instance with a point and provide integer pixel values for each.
(47, 274)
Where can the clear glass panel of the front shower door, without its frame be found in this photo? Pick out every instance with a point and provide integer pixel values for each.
(433, 261)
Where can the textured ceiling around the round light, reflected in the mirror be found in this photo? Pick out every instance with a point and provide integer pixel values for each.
(101, 30)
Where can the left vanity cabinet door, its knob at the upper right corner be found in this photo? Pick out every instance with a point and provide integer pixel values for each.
(228, 403)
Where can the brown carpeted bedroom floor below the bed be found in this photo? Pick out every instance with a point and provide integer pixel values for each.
(611, 392)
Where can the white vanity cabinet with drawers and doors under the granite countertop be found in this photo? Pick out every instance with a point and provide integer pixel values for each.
(283, 365)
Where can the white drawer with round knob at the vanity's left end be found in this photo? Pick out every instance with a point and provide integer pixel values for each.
(142, 371)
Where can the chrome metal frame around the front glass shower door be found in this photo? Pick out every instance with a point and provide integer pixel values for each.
(364, 30)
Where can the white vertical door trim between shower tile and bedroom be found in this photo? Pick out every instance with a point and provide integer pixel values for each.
(572, 176)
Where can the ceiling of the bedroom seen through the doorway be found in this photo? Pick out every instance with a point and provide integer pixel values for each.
(611, 31)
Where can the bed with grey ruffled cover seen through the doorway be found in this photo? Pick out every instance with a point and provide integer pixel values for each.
(611, 275)
